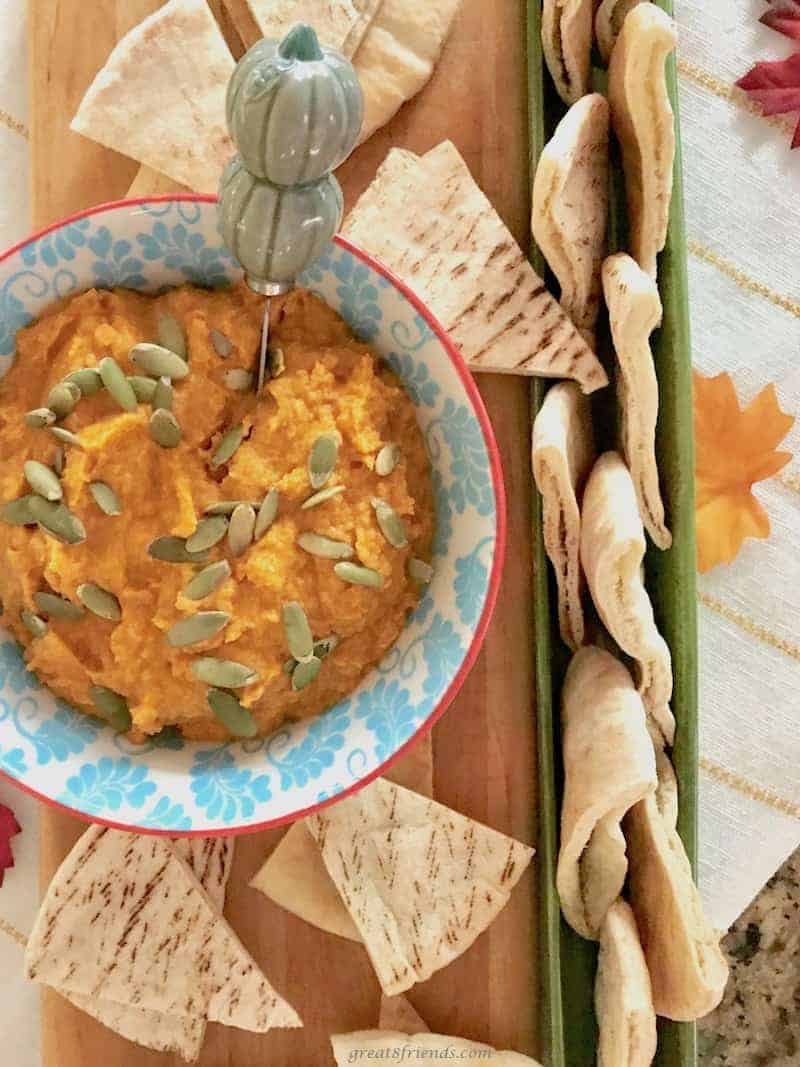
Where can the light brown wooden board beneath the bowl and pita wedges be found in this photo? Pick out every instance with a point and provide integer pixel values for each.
(485, 746)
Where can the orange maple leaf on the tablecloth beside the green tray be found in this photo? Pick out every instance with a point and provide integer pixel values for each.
(735, 449)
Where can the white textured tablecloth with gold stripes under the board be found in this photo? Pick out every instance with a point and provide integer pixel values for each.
(742, 192)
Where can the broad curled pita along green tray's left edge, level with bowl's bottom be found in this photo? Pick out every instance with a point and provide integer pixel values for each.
(609, 767)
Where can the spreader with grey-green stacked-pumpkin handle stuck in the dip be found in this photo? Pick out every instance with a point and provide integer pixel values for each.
(295, 110)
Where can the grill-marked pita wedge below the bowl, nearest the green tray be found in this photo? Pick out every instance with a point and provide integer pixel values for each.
(421, 882)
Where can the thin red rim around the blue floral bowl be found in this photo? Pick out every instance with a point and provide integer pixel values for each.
(500, 553)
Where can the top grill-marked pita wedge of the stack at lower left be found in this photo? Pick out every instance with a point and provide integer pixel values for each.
(147, 934)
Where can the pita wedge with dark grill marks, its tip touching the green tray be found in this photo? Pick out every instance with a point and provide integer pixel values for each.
(429, 222)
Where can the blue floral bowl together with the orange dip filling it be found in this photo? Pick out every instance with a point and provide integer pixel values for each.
(386, 679)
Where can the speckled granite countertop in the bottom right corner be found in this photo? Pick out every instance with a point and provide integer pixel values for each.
(759, 1023)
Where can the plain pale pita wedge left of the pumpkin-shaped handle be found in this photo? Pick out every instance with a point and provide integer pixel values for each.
(161, 98)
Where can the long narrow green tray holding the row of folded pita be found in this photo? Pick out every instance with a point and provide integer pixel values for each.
(568, 963)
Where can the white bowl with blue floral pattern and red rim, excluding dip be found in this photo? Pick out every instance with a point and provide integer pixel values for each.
(177, 787)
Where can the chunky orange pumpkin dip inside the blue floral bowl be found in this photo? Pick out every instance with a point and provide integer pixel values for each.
(331, 384)
